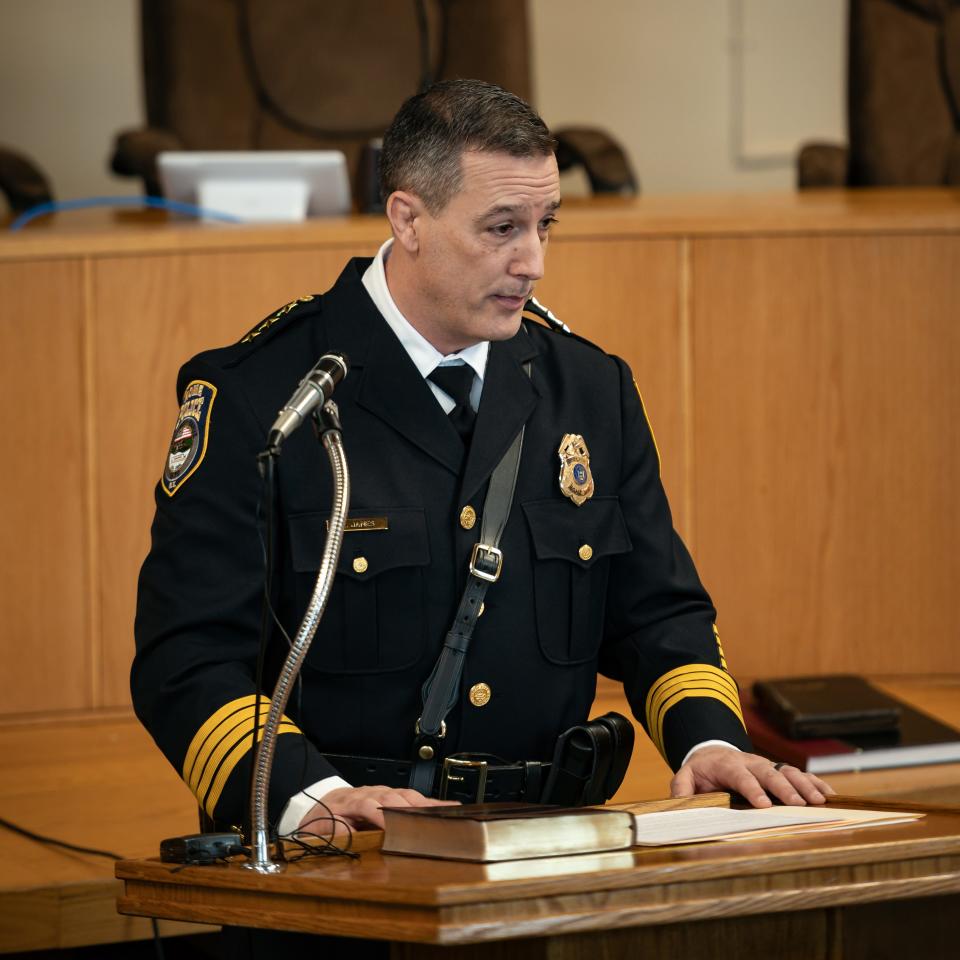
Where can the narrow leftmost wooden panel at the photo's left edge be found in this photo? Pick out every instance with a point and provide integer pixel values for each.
(44, 644)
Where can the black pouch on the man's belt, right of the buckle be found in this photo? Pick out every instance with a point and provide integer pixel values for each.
(589, 762)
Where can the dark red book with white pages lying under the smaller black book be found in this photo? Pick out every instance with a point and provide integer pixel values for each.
(919, 739)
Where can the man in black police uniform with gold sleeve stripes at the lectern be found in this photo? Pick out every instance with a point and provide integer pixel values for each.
(594, 578)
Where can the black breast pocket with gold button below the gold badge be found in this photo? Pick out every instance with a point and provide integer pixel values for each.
(573, 547)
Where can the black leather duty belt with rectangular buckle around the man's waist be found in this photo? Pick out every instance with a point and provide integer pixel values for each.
(472, 778)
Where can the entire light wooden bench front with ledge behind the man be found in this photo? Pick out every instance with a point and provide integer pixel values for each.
(798, 356)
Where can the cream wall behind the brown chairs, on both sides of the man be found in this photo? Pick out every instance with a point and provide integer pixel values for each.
(705, 94)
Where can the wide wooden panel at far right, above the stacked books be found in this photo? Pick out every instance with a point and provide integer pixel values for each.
(827, 457)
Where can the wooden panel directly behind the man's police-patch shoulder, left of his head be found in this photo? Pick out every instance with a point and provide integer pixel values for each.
(153, 314)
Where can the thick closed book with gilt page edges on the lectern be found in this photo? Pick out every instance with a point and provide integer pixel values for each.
(490, 832)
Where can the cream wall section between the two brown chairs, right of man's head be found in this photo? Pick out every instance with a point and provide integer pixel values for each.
(704, 94)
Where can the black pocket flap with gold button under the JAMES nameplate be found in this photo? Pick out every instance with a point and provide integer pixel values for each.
(364, 553)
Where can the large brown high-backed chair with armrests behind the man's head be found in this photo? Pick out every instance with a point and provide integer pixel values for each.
(324, 74)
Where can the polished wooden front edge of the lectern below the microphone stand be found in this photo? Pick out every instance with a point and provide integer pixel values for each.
(674, 893)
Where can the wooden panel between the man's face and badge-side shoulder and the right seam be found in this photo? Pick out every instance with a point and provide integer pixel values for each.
(625, 295)
